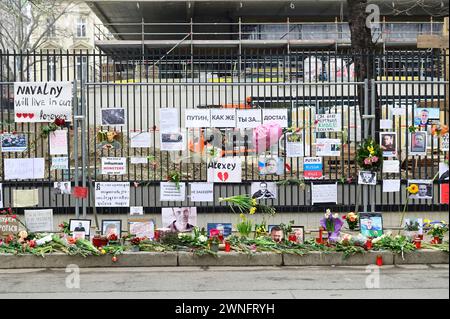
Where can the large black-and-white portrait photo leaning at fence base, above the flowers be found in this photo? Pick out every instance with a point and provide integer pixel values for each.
(179, 219)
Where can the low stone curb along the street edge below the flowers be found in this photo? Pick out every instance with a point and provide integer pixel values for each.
(174, 259)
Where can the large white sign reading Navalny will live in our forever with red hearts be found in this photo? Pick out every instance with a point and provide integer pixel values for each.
(42, 101)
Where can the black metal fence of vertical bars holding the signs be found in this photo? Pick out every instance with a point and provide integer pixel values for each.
(306, 83)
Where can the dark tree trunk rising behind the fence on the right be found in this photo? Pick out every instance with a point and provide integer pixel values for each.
(363, 51)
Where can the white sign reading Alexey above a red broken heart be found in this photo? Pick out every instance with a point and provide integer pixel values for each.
(225, 170)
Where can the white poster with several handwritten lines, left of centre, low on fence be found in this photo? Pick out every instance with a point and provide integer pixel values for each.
(112, 194)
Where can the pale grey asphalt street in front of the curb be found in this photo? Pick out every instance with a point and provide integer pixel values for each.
(408, 281)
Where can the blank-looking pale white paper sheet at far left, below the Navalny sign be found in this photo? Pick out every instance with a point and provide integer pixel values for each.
(24, 168)
